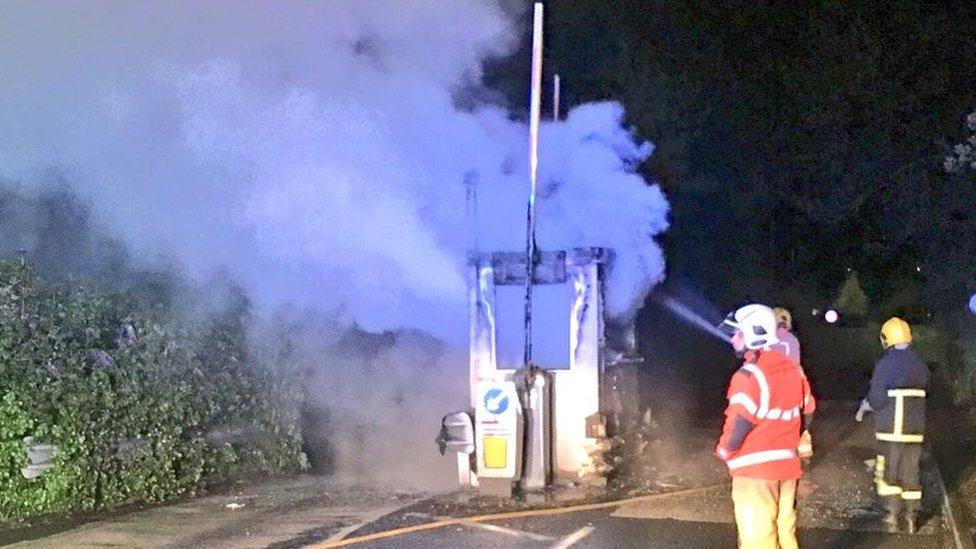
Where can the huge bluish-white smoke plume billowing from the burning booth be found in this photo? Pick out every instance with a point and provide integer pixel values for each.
(313, 151)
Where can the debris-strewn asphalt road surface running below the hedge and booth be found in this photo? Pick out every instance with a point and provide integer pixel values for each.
(685, 503)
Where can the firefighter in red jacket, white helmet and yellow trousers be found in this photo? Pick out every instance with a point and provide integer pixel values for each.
(767, 400)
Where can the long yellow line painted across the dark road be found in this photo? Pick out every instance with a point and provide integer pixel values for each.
(505, 516)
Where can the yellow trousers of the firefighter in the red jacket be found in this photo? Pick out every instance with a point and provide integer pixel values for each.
(765, 513)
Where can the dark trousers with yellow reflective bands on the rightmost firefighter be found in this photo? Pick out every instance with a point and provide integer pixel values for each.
(896, 475)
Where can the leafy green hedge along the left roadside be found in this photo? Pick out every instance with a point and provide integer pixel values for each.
(142, 407)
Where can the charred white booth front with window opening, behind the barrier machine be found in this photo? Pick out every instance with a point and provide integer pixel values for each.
(568, 343)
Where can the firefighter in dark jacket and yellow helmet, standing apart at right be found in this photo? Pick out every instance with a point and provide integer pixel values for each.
(897, 398)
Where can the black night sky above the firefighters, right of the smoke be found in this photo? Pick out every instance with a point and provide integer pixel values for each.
(795, 140)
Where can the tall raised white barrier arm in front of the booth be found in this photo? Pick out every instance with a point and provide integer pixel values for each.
(534, 112)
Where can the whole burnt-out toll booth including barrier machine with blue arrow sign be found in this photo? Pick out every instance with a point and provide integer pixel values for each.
(556, 429)
